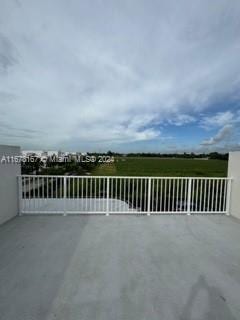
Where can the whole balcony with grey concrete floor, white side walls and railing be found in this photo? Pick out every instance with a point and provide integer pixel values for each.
(161, 248)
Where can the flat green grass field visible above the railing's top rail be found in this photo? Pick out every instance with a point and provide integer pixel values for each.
(163, 167)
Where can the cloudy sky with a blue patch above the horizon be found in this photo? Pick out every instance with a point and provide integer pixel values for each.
(129, 75)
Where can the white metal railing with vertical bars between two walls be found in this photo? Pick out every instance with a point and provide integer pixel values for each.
(136, 195)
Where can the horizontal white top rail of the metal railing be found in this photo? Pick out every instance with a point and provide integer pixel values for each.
(123, 177)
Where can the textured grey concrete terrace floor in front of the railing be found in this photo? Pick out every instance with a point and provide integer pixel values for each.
(120, 267)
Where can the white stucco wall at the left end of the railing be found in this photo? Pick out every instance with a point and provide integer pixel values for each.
(8, 184)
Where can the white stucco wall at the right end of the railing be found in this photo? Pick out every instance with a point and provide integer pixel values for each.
(234, 172)
